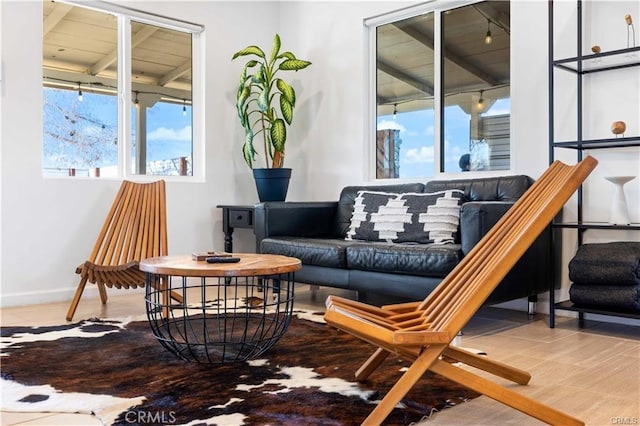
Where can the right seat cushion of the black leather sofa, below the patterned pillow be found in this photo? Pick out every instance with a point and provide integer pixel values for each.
(434, 260)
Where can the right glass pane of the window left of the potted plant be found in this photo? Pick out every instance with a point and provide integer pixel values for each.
(161, 81)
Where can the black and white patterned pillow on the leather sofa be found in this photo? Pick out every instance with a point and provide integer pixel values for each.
(410, 217)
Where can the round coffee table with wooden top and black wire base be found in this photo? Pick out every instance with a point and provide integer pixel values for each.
(219, 312)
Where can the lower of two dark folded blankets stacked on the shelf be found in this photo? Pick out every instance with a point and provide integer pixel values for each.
(624, 297)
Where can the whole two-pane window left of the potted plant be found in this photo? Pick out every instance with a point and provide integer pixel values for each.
(89, 57)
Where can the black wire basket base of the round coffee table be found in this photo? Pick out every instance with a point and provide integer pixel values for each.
(220, 319)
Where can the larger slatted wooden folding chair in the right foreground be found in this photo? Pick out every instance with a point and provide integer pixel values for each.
(422, 332)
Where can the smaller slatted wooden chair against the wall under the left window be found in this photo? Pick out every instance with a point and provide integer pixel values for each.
(135, 229)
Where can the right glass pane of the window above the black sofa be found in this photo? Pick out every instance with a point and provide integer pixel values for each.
(475, 82)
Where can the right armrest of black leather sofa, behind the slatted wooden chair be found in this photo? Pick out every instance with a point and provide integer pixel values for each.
(477, 218)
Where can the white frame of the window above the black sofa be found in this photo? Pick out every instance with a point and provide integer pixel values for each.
(438, 7)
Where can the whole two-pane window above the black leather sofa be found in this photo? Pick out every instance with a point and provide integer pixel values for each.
(441, 87)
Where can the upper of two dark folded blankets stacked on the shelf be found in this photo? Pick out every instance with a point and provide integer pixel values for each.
(614, 263)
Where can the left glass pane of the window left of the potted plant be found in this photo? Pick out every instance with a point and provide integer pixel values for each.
(80, 113)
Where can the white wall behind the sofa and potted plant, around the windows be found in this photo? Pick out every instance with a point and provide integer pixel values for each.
(48, 226)
